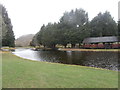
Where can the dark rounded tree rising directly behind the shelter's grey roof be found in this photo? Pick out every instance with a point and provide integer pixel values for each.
(103, 25)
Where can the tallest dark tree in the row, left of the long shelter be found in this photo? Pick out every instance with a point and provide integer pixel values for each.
(74, 23)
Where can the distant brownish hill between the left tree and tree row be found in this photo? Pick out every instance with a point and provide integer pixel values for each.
(24, 40)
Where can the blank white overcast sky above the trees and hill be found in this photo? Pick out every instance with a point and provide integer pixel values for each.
(28, 16)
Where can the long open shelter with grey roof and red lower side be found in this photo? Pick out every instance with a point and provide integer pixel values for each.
(101, 42)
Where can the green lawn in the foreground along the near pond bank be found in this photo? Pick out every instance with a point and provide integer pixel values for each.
(20, 73)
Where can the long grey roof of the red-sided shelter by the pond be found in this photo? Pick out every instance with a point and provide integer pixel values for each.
(100, 39)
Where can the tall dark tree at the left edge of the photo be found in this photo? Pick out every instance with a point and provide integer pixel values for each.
(7, 34)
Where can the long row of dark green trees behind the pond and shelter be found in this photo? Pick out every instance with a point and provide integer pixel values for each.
(73, 27)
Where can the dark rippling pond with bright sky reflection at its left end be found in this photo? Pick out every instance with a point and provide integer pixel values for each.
(107, 60)
